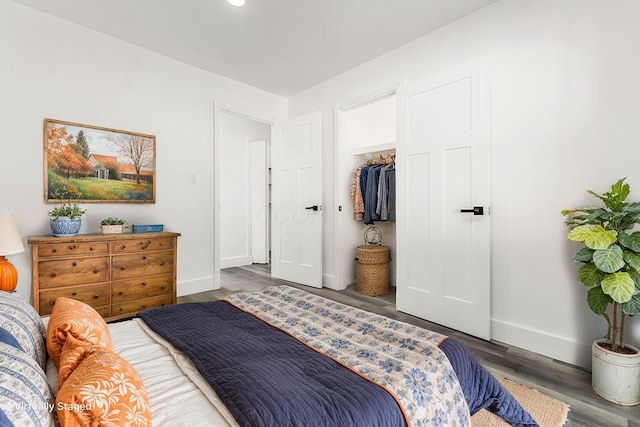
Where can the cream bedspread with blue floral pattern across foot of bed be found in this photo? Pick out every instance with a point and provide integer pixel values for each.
(402, 358)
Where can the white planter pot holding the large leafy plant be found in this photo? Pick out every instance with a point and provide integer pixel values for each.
(616, 376)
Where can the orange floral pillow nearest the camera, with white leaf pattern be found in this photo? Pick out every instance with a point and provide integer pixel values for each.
(104, 389)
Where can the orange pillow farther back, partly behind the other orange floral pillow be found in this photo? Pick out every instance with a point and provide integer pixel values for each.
(81, 321)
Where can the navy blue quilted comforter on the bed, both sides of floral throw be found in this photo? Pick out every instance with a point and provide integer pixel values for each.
(266, 377)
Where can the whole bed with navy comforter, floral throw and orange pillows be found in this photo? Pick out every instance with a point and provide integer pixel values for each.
(280, 356)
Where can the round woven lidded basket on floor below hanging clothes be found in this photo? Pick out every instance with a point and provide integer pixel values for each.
(372, 272)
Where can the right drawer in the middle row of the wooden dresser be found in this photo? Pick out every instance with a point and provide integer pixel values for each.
(144, 264)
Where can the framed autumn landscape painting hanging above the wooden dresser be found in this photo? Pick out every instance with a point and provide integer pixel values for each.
(94, 164)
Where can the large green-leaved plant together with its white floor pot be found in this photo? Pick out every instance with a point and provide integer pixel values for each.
(611, 273)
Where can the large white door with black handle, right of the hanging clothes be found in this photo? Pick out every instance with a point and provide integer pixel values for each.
(443, 182)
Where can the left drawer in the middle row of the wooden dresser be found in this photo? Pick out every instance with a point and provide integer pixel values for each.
(76, 271)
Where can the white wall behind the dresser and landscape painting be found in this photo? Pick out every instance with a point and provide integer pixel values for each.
(56, 69)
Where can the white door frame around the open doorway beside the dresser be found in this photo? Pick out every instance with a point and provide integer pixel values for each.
(218, 110)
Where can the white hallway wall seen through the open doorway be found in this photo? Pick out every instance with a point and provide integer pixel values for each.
(236, 217)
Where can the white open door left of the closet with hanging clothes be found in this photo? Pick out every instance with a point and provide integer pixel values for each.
(296, 214)
